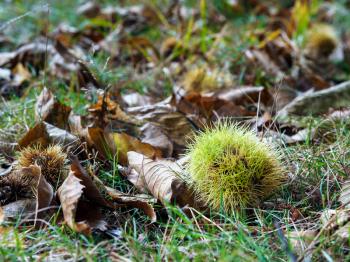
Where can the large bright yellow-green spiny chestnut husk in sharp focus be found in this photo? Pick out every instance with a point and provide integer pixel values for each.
(230, 167)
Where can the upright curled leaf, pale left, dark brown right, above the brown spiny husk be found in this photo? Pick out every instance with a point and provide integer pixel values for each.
(51, 111)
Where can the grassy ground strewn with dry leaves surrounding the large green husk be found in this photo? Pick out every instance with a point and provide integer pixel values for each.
(104, 78)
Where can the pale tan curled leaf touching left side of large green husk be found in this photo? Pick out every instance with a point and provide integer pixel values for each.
(162, 179)
